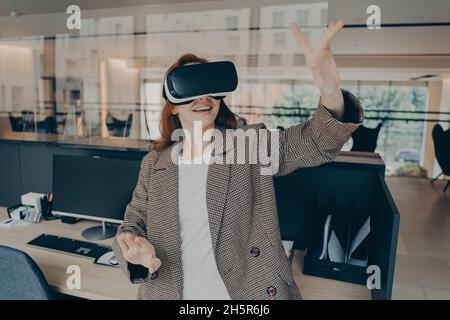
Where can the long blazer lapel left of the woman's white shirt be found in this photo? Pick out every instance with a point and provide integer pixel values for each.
(165, 177)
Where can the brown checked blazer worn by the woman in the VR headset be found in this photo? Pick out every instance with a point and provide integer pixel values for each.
(241, 208)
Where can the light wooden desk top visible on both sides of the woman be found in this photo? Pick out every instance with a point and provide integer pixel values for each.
(102, 282)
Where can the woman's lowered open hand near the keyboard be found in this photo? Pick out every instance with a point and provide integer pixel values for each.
(138, 250)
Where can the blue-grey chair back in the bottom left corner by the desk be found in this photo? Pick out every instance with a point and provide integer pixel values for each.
(20, 277)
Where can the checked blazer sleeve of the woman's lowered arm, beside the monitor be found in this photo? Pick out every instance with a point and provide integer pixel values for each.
(134, 222)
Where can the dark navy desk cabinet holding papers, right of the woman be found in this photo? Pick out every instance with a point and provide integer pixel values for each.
(349, 193)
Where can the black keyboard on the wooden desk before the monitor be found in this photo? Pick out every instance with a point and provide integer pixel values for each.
(70, 246)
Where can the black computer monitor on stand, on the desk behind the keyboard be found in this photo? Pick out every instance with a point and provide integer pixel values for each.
(93, 188)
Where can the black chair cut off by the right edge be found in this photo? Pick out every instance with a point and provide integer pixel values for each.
(441, 141)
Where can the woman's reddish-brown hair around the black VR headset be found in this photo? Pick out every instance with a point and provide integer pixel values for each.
(170, 122)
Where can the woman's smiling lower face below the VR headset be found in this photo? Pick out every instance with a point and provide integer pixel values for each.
(204, 109)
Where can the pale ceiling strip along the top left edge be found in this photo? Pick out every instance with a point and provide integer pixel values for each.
(26, 7)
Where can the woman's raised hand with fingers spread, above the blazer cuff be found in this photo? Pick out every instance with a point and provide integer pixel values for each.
(321, 62)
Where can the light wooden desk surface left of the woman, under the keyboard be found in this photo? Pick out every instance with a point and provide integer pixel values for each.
(97, 282)
